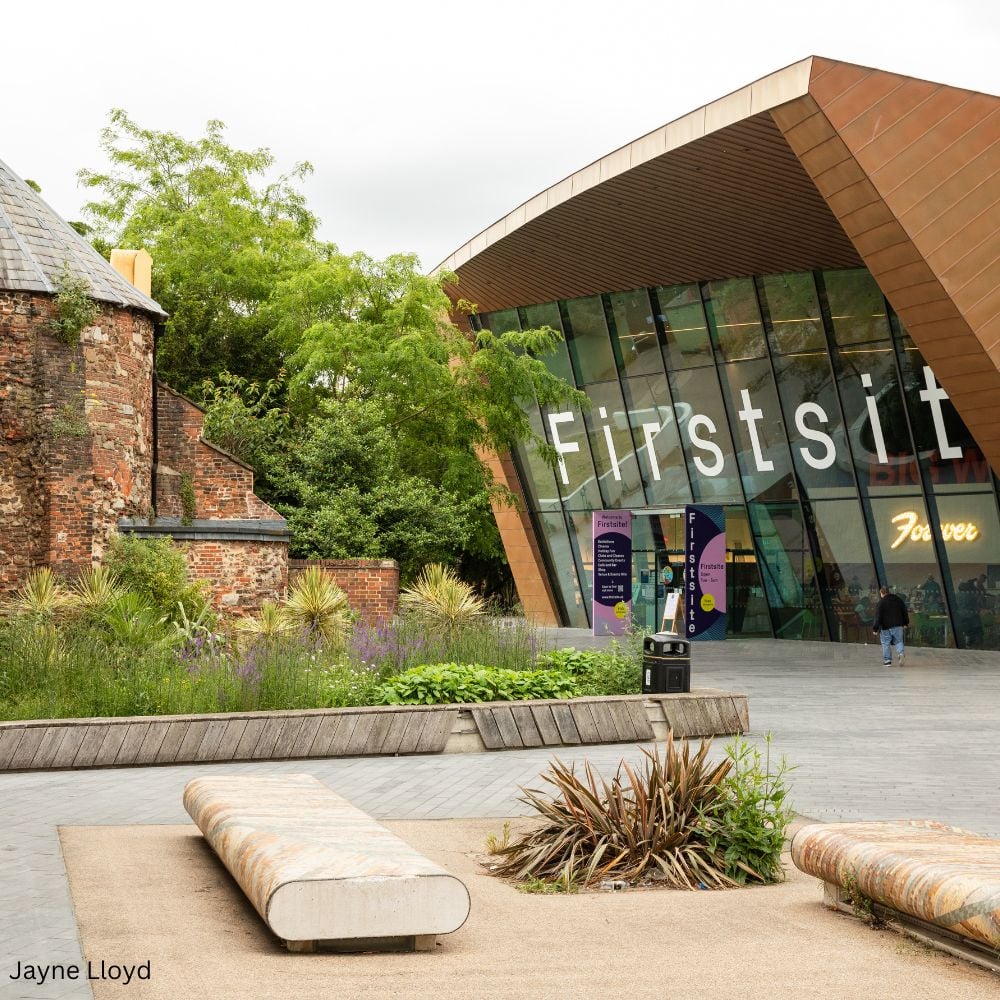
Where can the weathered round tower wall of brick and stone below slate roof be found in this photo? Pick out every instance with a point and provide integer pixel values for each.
(76, 429)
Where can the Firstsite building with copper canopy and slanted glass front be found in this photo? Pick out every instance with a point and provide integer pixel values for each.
(787, 303)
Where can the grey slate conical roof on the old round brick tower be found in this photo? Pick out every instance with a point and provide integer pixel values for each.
(36, 244)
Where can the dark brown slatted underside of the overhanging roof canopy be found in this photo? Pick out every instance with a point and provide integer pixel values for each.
(735, 202)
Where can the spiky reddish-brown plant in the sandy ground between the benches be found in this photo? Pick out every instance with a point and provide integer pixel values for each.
(642, 824)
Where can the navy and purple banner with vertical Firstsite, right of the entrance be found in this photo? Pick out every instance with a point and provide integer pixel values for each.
(704, 572)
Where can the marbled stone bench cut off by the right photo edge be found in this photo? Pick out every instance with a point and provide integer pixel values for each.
(943, 878)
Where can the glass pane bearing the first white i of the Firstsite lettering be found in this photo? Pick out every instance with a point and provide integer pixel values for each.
(611, 445)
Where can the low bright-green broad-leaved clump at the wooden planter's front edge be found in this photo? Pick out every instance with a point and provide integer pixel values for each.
(456, 683)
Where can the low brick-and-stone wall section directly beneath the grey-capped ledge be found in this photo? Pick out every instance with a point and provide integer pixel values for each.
(240, 575)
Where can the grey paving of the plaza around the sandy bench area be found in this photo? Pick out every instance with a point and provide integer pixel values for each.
(869, 742)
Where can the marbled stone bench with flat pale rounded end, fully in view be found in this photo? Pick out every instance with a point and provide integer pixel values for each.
(320, 871)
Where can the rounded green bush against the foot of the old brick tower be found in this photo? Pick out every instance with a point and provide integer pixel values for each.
(156, 569)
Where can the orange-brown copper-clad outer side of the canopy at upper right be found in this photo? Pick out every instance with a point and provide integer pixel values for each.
(910, 170)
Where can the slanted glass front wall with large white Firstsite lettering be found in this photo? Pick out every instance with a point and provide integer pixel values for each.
(799, 403)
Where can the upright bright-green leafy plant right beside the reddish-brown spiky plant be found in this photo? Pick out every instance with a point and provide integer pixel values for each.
(748, 821)
